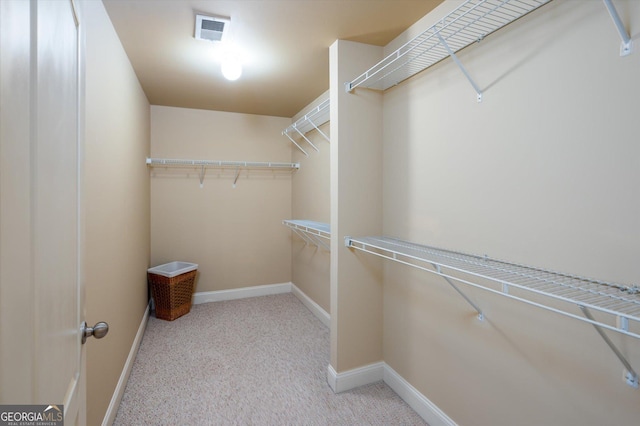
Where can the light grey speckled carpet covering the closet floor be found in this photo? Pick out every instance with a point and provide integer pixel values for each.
(256, 361)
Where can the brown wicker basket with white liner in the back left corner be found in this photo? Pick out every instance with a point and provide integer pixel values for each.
(172, 288)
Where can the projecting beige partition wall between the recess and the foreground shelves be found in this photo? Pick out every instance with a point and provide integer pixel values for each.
(356, 209)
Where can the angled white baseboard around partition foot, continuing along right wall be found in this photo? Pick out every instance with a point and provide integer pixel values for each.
(347, 380)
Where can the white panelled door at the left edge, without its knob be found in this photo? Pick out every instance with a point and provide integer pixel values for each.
(41, 298)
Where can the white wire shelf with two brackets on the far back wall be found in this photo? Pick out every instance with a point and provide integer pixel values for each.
(202, 165)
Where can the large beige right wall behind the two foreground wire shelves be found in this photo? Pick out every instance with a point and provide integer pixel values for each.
(545, 172)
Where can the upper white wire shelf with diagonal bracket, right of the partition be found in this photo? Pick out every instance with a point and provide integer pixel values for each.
(469, 23)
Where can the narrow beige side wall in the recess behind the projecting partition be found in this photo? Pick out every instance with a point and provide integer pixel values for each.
(311, 201)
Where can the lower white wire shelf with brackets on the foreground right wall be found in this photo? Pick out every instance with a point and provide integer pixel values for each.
(616, 306)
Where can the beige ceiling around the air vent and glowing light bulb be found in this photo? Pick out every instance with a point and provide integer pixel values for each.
(284, 44)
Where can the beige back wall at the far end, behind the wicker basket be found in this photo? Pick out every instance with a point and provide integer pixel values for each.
(235, 235)
